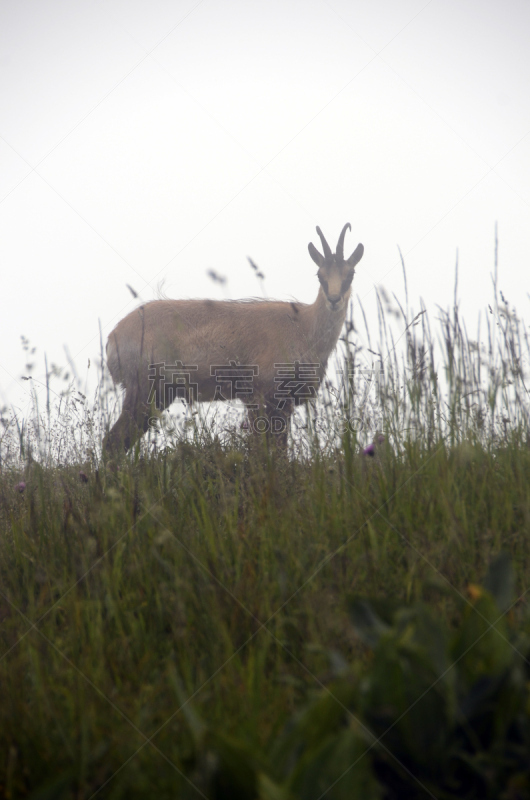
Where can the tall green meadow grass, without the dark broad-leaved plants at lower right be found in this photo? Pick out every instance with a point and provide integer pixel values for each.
(202, 580)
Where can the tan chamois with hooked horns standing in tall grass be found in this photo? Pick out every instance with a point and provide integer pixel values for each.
(267, 353)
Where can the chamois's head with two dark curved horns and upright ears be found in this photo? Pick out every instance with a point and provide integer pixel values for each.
(335, 273)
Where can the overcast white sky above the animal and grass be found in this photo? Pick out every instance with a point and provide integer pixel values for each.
(147, 141)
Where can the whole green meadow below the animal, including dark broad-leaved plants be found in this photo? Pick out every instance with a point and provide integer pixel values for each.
(213, 617)
